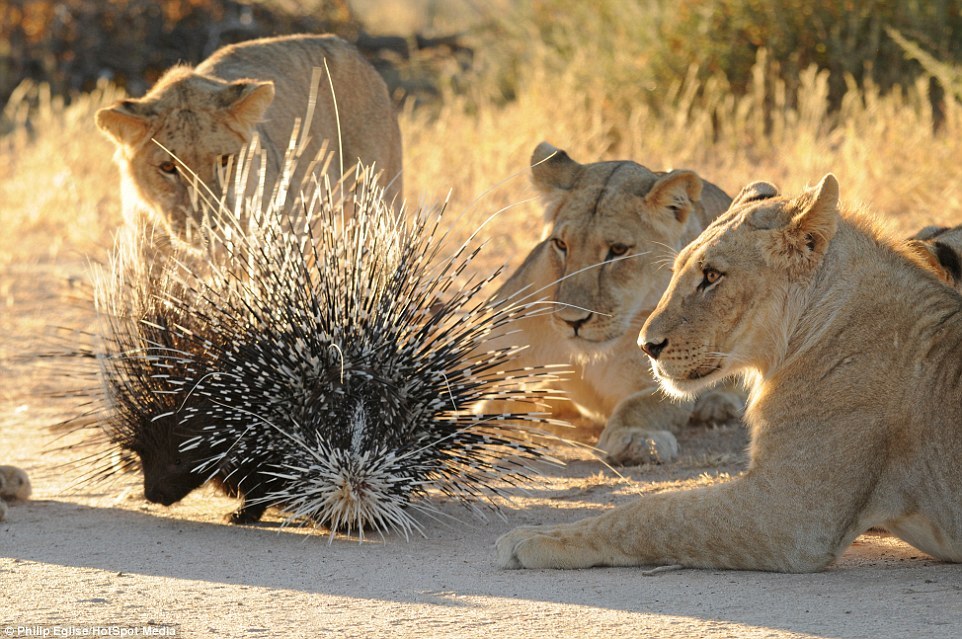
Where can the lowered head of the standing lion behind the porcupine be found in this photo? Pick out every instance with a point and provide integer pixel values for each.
(188, 124)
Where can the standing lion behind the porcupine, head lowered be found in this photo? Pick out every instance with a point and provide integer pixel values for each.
(196, 120)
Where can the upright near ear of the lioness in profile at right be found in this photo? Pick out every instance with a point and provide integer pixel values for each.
(804, 239)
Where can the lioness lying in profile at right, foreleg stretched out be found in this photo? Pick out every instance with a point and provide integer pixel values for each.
(855, 412)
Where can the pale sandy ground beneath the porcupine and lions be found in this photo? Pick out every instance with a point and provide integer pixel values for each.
(105, 560)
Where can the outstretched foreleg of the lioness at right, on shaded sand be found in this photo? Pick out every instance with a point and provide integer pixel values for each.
(752, 523)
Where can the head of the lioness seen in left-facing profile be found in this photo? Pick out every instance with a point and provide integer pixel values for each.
(733, 288)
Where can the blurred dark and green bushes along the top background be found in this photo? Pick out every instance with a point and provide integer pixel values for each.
(638, 48)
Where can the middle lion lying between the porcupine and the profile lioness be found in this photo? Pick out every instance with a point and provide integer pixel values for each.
(612, 229)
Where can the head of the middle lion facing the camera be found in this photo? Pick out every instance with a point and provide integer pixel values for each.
(613, 229)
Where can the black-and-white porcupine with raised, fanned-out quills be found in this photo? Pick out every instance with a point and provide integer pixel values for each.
(326, 365)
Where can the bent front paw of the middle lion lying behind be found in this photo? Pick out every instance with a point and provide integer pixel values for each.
(639, 429)
